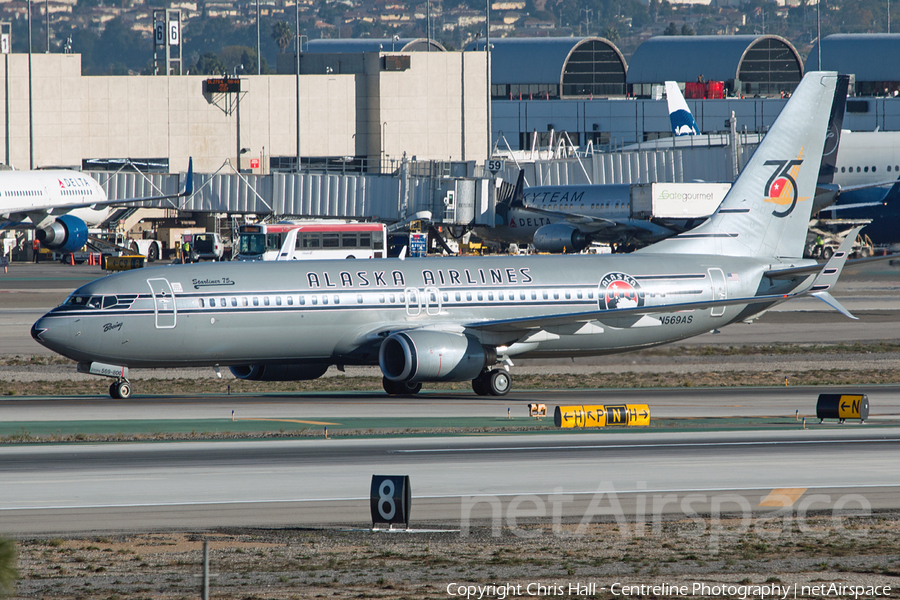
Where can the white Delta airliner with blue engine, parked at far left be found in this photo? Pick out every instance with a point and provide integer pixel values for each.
(62, 205)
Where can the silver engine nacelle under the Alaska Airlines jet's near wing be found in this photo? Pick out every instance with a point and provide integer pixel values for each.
(424, 355)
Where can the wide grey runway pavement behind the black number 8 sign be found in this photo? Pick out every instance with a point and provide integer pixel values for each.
(455, 482)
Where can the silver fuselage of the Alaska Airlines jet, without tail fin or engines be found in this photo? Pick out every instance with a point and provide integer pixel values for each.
(334, 311)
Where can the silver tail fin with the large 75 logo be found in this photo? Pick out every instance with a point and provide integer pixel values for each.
(766, 213)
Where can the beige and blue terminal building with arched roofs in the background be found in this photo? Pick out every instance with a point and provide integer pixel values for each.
(363, 104)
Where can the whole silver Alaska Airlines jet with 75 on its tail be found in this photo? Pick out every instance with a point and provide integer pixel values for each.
(464, 318)
